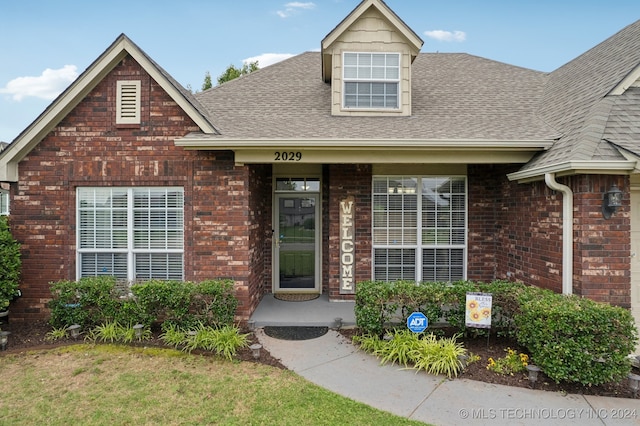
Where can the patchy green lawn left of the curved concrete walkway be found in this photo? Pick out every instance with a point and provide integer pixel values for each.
(111, 384)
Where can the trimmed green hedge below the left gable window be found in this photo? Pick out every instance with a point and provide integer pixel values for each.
(99, 300)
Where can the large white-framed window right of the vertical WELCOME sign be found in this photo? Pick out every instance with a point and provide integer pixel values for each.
(419, 228)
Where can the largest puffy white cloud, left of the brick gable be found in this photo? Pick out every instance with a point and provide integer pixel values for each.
(47, 86)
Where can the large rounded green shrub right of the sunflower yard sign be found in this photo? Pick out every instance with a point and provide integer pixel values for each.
(575, 339)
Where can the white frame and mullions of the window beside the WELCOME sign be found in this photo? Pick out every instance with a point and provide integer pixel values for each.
(419, 246)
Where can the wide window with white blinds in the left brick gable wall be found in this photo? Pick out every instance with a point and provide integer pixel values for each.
(131, 233)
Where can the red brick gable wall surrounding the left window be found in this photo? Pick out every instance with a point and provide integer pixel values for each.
(88, 149)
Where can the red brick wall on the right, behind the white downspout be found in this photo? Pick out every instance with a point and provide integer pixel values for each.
(516, 230)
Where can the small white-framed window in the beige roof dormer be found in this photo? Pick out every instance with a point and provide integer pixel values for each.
(371, 80)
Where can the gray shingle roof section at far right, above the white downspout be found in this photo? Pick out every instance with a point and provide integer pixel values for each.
(589, 100)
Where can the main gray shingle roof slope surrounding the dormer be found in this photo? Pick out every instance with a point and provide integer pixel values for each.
(455, 96)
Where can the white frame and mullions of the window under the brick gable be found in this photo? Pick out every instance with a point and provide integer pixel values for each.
(131, 251)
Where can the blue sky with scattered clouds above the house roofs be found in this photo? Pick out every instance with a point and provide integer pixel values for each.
(45, 44)
